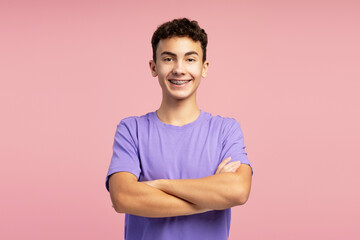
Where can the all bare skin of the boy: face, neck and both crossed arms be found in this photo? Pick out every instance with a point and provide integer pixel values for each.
(180, 58)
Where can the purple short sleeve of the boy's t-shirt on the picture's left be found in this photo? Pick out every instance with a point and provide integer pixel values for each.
(125, 152)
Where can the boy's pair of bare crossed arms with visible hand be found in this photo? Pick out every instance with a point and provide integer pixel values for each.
(228, 187)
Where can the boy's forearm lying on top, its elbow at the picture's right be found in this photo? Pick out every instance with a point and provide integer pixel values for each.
(220, 191)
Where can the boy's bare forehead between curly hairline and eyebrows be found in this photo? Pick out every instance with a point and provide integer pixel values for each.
(179, 46)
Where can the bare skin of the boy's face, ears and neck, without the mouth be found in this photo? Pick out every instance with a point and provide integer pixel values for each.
(178, 59)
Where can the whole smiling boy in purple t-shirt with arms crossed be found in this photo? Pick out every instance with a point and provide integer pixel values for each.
(176, 172)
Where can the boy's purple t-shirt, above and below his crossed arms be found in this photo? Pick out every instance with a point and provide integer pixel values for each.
(151, 149)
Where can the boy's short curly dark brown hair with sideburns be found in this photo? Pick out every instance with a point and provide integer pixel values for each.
(181, 27)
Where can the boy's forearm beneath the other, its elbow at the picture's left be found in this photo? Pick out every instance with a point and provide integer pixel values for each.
(139, 199)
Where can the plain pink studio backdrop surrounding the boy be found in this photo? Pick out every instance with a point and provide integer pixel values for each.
(288, 71)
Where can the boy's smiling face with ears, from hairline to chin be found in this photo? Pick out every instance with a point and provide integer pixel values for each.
(179, 67)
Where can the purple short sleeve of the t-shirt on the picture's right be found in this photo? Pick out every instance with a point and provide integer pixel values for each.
(233, 142)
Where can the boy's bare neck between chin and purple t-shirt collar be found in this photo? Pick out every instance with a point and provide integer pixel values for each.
(178, 112)
